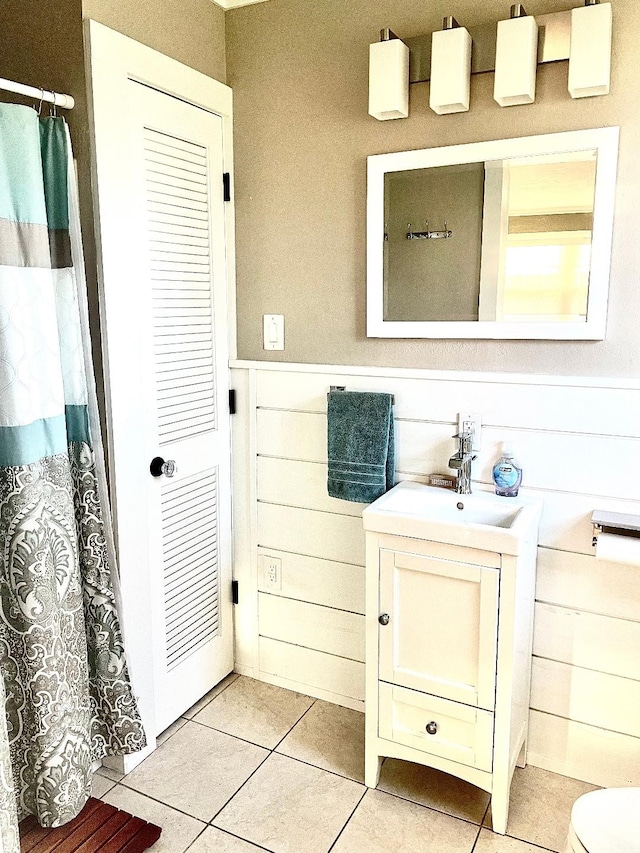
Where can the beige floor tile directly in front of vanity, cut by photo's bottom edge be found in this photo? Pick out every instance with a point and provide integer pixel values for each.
(384, 823)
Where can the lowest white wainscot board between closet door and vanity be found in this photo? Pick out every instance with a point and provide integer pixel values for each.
(313, 671)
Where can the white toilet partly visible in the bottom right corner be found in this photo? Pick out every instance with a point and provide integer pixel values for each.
(606, 821)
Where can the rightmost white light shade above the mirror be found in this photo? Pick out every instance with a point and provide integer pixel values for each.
(590, 51)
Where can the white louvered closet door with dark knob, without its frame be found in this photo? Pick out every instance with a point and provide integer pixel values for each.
(183, 216)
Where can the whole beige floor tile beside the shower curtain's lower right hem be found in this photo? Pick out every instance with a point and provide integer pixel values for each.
(197, 770)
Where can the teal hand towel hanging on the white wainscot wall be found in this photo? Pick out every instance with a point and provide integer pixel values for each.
(360, 445)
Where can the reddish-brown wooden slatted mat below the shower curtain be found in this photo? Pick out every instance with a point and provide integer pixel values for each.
(99, 828)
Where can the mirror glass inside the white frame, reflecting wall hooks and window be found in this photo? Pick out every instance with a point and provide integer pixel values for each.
(505, 241)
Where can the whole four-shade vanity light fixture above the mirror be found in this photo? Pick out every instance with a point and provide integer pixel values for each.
(582, 35)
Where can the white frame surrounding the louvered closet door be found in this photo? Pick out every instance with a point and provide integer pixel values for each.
(112, 61)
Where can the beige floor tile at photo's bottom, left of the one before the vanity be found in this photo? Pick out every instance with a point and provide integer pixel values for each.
(290, 807)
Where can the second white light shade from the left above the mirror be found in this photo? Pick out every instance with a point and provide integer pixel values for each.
(450, 71)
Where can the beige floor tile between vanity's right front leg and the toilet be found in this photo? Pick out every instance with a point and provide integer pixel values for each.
(540, 806)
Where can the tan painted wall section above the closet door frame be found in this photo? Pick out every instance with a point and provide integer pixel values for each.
(191, 32)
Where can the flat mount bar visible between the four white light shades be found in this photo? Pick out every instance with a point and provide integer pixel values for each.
(554, 37)
